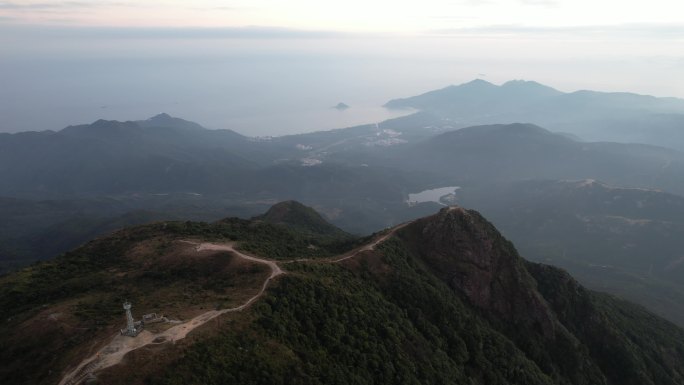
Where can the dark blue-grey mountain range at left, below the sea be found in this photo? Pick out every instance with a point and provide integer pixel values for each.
(109, 156)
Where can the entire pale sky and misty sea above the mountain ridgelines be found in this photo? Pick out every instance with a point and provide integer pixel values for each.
(267, 67)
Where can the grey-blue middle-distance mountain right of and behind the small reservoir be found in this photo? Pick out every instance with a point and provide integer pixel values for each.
(496, 153)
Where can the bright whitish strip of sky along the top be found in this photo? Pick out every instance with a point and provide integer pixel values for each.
(349, 15)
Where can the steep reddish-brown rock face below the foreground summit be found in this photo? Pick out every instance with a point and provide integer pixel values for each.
(468, 253)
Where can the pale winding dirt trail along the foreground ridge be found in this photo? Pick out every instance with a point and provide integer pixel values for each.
(120, 345)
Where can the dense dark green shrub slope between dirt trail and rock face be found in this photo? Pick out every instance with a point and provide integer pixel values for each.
(326, 325)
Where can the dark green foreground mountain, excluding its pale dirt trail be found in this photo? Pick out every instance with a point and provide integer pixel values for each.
(447, 300)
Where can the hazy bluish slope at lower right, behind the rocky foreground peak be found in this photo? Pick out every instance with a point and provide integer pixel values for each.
(623, 241)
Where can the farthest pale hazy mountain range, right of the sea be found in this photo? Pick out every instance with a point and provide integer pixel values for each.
(594, 116)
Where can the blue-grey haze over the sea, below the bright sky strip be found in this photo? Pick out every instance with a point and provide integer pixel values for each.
(274, 86)
